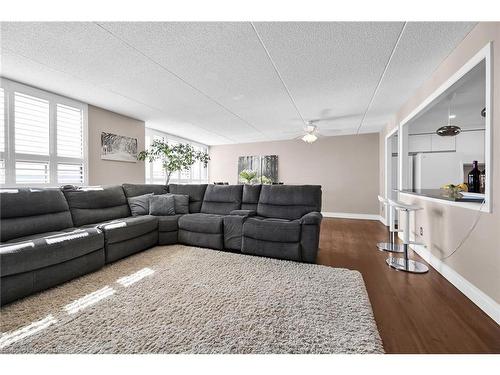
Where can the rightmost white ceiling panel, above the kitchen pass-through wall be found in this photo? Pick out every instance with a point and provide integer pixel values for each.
(423, 46)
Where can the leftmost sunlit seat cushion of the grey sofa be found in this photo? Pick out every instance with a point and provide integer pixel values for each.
(42, 250)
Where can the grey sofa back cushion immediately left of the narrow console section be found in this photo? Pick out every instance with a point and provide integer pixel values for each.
(222, 199)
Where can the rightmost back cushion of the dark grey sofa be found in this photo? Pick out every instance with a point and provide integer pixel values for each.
(289, 201)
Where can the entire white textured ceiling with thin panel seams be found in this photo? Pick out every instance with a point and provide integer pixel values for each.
(215, 84)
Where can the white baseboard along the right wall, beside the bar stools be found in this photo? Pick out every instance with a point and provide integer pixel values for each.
(482, 300)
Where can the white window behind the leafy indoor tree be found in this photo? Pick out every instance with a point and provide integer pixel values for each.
(175, 178)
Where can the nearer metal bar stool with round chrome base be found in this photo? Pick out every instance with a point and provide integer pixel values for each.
(406, 264)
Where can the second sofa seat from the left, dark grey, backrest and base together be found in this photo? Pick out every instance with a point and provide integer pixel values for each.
(106, 208)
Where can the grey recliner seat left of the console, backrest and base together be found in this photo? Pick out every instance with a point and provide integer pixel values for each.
(206, 228)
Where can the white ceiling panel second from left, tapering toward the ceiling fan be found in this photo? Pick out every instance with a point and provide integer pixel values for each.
(223, 60)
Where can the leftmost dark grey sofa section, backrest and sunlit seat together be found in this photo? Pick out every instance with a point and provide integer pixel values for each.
(39, 246)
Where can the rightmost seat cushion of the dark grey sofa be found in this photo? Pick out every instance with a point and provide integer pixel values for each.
(275, 230)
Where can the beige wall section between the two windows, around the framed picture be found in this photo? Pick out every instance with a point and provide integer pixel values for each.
(107, 172)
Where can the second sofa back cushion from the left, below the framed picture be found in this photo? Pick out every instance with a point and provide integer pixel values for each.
(90, 205)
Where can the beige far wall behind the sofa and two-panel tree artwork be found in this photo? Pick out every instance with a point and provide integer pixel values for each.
(346, 166)
